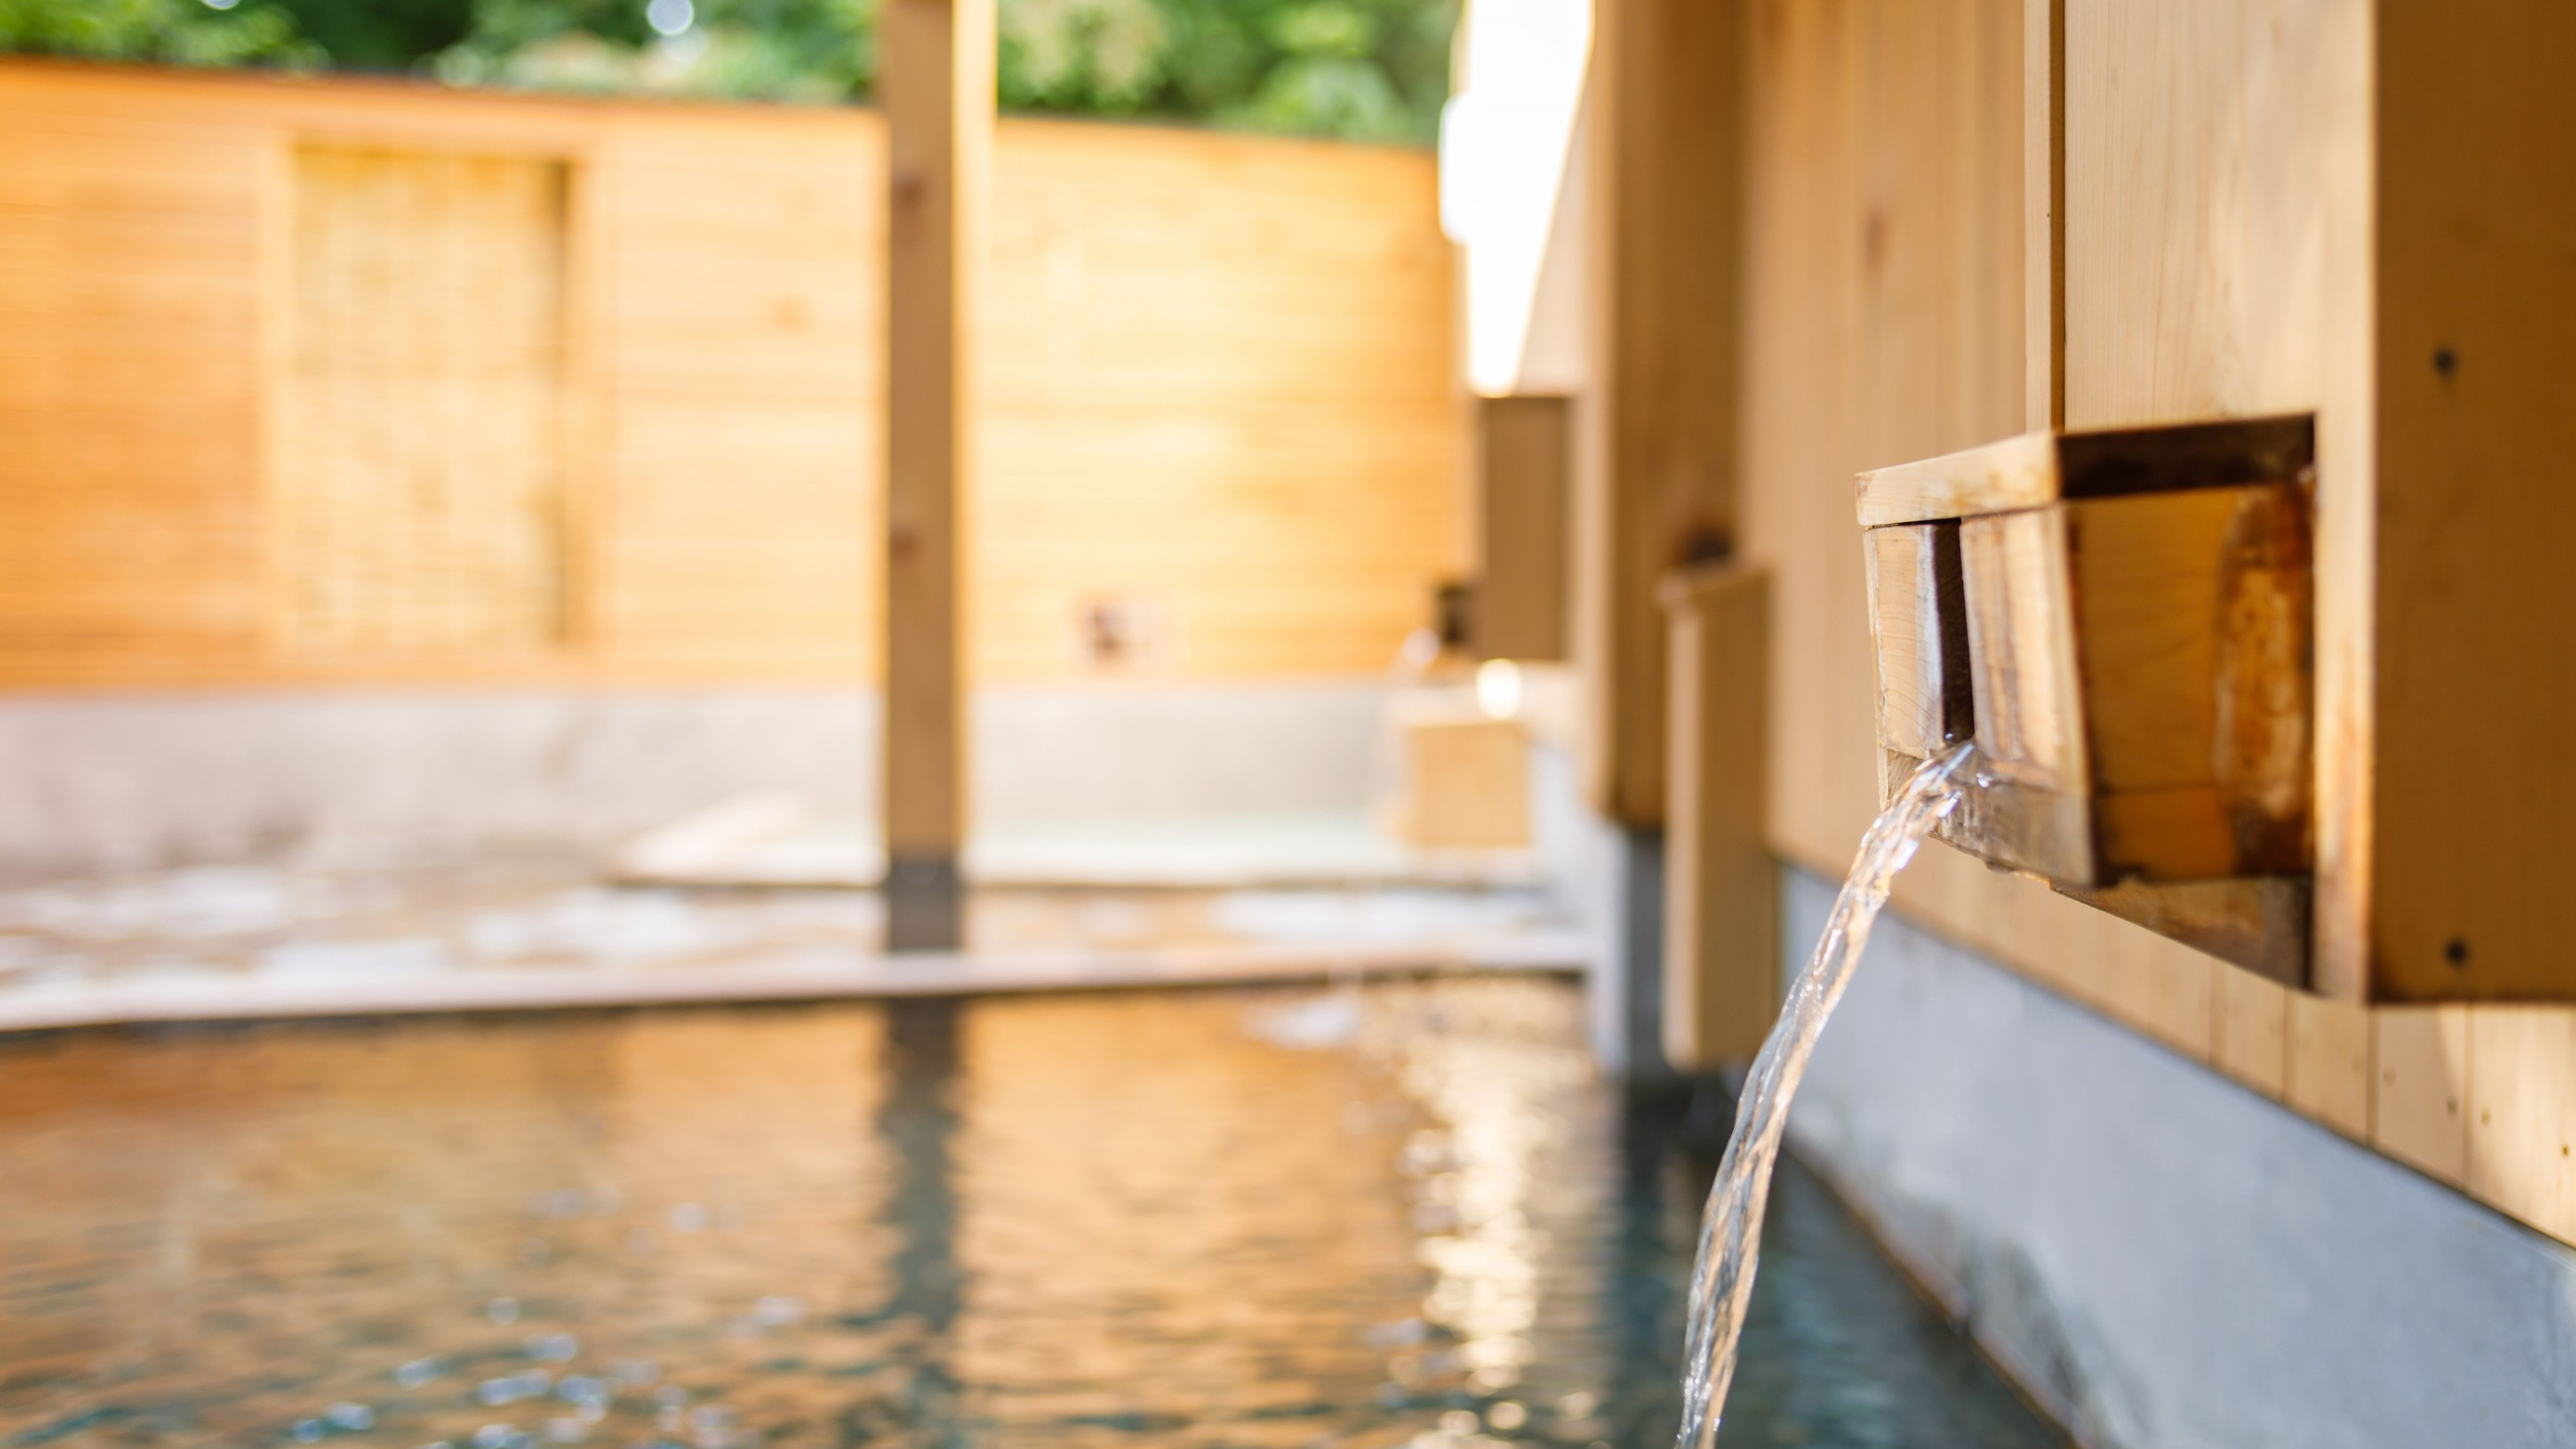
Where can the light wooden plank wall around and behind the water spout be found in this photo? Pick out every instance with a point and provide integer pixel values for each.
(2204, 274)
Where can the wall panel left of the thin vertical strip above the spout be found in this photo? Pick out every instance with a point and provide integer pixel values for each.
(1884, 323)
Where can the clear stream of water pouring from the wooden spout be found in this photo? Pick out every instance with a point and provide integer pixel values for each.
(1722, 1280)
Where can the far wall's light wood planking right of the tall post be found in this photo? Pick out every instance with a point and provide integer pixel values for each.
(1220, 390)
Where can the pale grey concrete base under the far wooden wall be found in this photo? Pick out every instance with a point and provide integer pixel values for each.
(94, 784)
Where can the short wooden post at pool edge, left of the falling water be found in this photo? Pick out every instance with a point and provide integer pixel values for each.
(1722, 900)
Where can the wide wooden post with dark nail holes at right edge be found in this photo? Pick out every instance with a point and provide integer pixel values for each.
(2474, 676)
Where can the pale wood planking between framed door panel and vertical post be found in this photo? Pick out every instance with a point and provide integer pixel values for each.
(741, 380)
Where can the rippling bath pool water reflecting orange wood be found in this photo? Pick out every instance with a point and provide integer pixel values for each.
(1202, 1219)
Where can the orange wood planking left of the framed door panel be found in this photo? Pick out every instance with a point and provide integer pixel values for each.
(130, 529)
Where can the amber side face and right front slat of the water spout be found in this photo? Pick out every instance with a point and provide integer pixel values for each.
(2142, 686)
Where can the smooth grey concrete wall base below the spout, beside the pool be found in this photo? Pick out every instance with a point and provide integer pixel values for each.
(2165, 1260)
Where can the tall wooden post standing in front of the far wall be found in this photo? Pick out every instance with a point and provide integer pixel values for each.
(936, 86)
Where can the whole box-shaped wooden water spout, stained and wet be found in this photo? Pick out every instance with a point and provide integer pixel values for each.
(2124, 624)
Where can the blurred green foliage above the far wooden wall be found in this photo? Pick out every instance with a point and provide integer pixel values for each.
(1323, 68)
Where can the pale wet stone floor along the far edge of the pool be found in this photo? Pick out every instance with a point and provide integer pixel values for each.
(267, 941)
